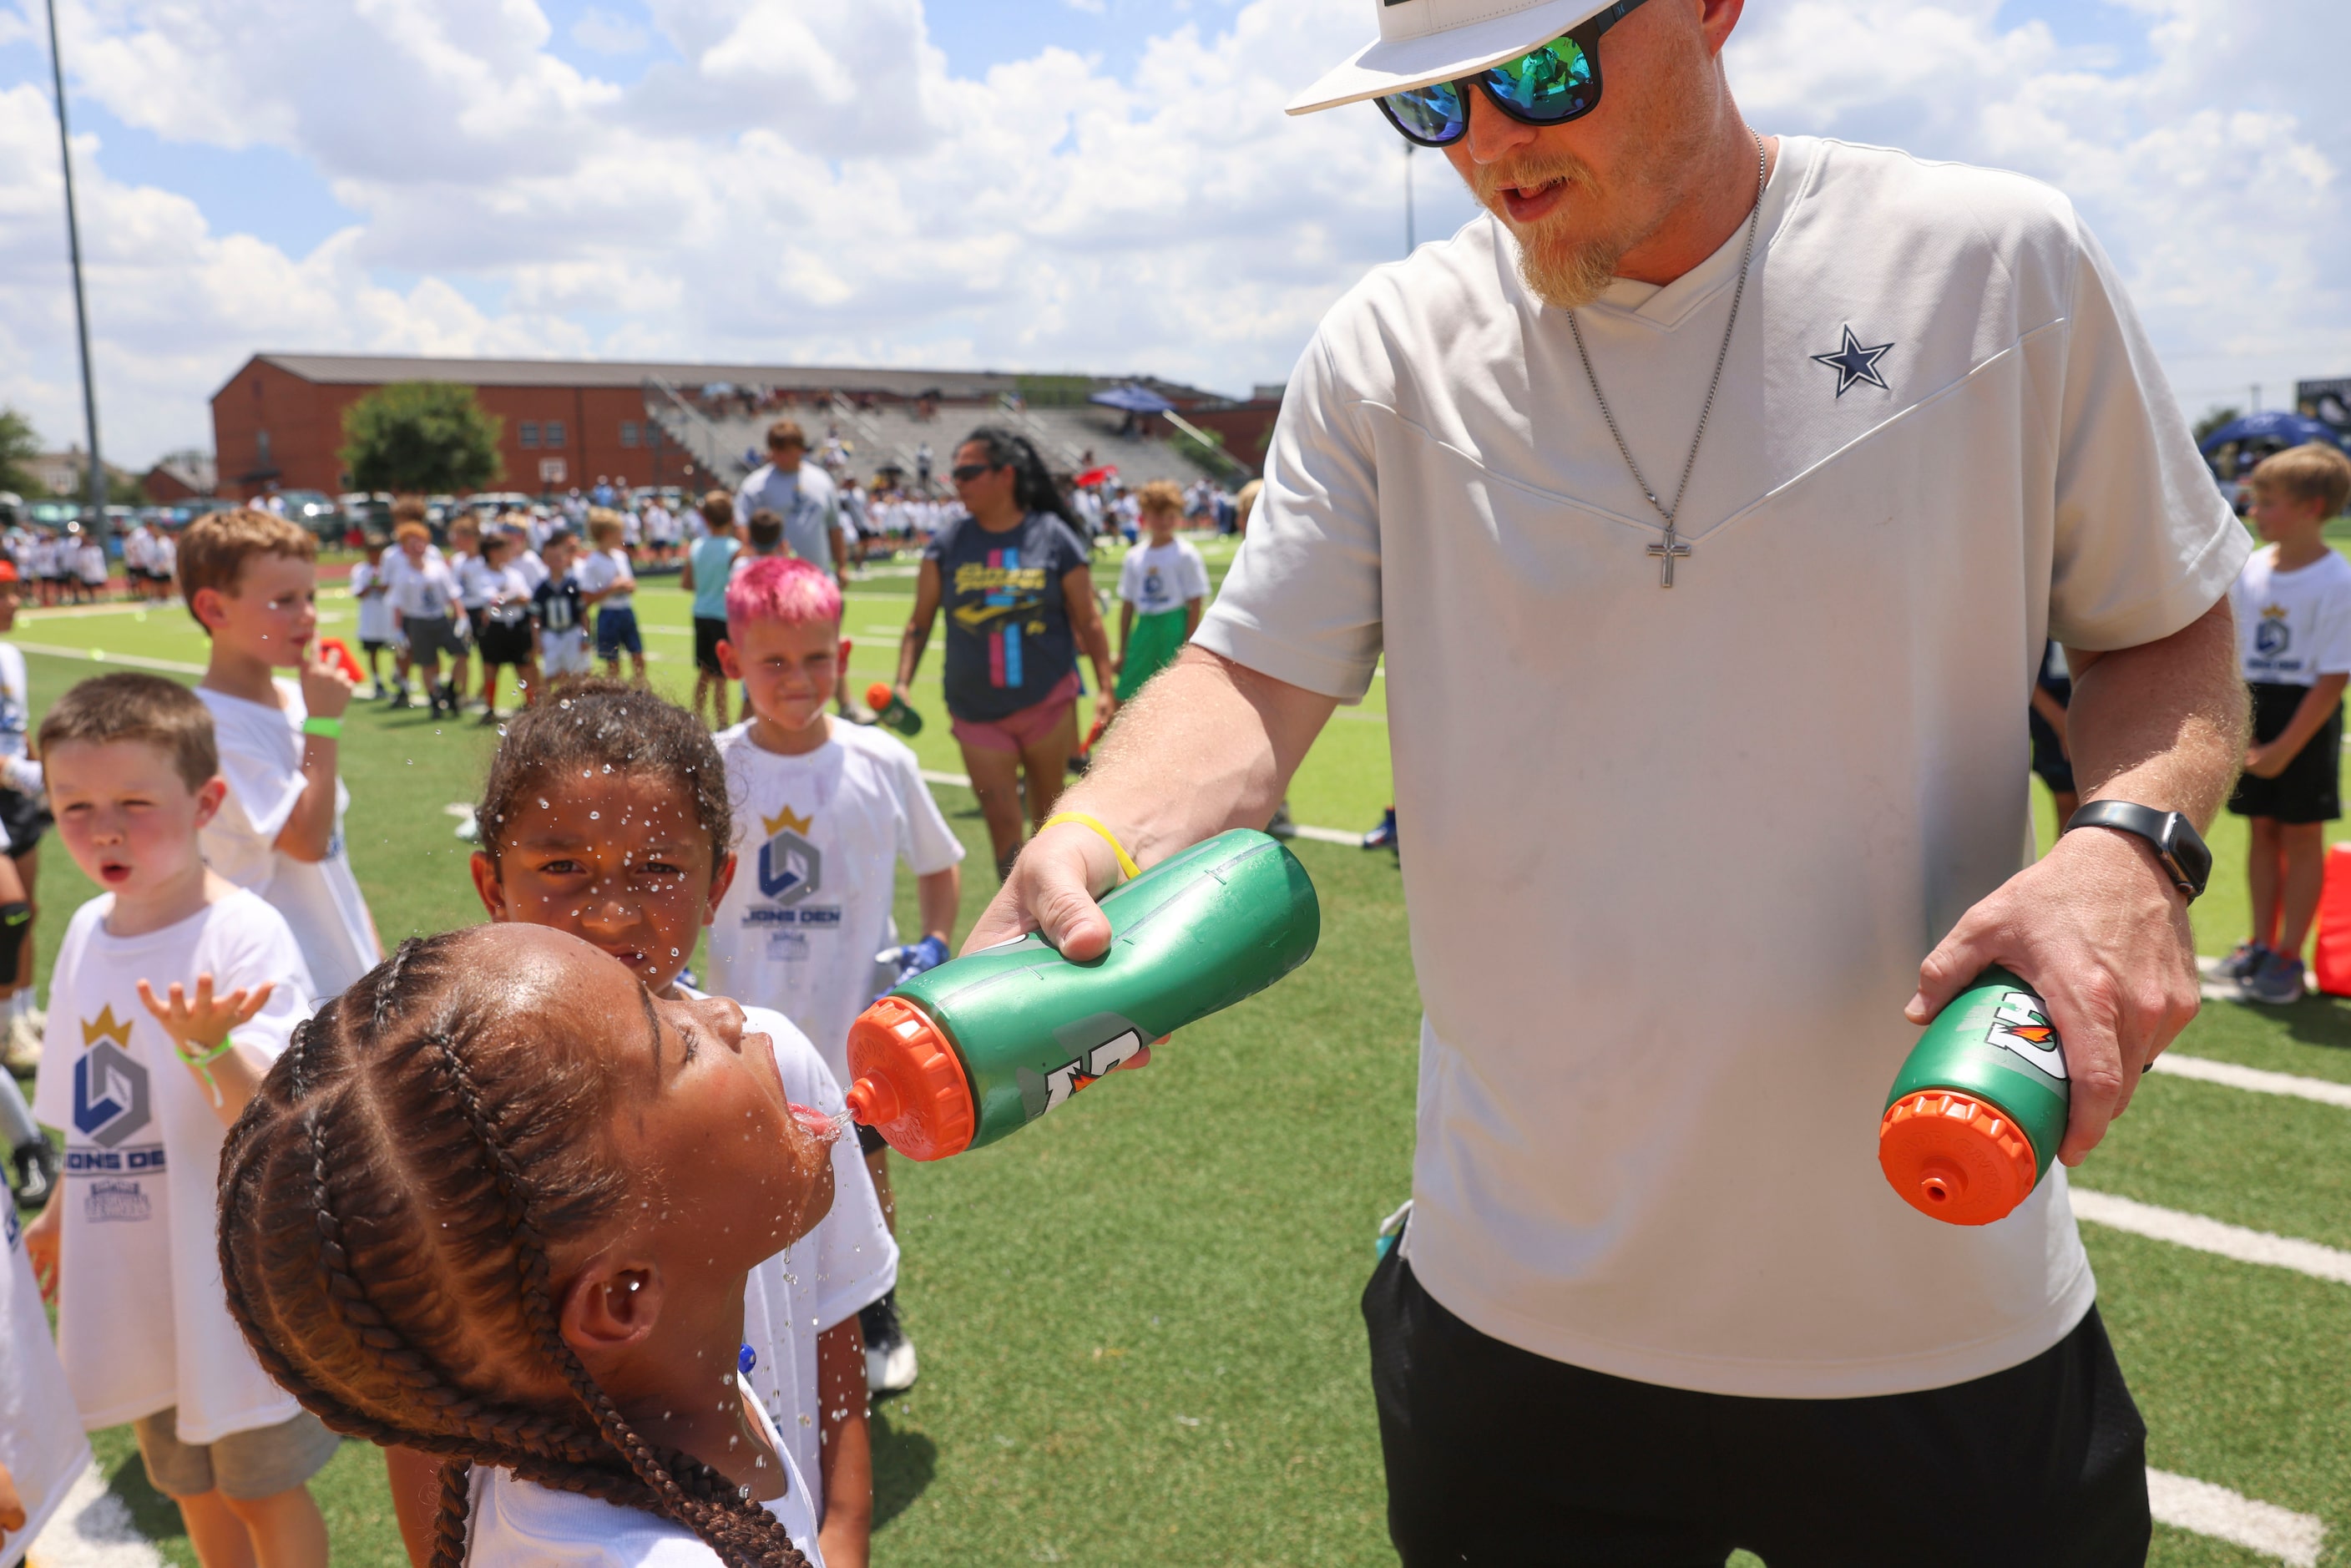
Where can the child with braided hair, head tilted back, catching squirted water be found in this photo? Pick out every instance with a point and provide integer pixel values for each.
(481, 1209)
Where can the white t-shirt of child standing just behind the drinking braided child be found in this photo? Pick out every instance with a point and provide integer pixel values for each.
(824, 1280)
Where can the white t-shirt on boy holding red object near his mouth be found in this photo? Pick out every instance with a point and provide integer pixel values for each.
(321, 899)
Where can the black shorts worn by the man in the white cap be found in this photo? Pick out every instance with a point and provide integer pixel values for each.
(1503, 1459)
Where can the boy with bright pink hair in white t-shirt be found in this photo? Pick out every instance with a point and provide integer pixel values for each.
(826, 810)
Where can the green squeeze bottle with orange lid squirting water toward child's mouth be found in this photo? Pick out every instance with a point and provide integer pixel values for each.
(984, 1045)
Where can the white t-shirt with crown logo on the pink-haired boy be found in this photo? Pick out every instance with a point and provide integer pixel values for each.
(819, 843)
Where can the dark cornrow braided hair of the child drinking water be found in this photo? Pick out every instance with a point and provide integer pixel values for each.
(387, 1259)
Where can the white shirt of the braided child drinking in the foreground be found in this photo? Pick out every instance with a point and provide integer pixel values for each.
(521, 1525)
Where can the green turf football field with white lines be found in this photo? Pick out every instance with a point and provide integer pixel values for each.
(1139, 1325)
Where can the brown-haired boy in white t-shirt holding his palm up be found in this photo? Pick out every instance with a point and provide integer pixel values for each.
(173, 996)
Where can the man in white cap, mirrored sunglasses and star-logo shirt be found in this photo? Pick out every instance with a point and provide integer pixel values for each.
(1656, 1299)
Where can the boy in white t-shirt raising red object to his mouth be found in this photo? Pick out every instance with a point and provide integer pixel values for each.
(253, 584)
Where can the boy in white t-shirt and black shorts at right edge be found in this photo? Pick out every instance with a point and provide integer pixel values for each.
(2293, 624)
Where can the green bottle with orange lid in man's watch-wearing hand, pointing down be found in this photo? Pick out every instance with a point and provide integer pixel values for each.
(1981, 1106)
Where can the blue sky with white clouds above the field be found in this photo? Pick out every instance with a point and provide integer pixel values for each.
(1022, 185)
